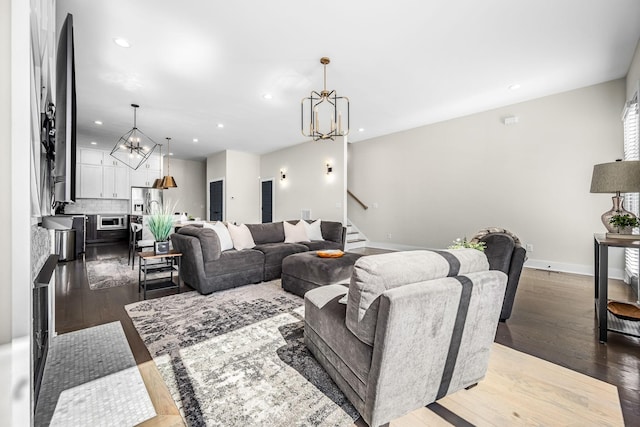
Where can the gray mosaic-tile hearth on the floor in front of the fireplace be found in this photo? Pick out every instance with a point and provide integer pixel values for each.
(91, 379)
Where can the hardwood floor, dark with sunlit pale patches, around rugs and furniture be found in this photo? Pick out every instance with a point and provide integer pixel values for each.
(553, 320)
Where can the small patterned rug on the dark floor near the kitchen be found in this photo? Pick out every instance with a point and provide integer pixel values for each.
(108, 273)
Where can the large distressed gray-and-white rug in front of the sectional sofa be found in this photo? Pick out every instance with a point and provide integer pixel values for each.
(237, 358)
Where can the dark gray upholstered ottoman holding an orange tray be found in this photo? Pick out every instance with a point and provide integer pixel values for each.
(305, 271)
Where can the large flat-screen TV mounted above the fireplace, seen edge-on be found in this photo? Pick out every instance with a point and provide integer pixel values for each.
(64, 176)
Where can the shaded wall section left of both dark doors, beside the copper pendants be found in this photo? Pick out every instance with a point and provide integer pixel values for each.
(190, 195)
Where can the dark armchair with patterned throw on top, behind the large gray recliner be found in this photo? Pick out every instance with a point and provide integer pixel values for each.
(505, 253)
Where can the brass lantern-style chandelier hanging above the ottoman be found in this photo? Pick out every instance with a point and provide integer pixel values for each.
(321, 116)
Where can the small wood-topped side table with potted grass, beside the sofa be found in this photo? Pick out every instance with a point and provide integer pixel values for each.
(157, 283)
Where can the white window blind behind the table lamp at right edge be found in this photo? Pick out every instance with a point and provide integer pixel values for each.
(631, 124)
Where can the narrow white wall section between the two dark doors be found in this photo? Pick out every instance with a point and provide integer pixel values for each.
(242, 195)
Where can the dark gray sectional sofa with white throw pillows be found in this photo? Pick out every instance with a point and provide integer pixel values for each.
(206, 268)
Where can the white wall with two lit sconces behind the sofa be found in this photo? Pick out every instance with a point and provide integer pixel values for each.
(307, 185)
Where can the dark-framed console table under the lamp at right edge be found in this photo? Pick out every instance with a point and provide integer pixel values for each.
(601, 245)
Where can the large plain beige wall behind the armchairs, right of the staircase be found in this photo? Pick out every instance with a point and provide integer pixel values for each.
(439, 182)
